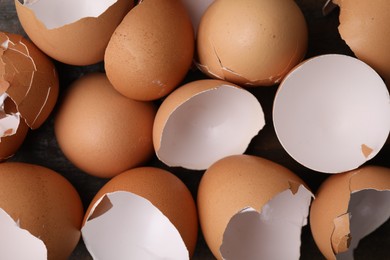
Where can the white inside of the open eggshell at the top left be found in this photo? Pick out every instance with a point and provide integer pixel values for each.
(57, 13)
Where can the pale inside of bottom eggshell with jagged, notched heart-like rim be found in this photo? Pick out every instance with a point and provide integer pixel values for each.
(261, 235)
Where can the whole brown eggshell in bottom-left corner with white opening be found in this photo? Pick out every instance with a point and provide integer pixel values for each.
(37, 205)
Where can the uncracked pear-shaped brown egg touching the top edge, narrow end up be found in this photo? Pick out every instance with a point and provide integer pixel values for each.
(151, 51)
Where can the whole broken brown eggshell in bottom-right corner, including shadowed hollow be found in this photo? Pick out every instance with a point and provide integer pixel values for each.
(349, 206)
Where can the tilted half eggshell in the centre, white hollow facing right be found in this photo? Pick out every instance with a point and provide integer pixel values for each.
(204, 121)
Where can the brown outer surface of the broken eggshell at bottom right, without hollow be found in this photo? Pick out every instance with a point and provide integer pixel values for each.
(330, 217)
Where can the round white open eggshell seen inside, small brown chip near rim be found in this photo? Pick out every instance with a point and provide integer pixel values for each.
(332, 113)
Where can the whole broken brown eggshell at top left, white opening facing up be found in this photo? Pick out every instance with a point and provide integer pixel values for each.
(73, 32)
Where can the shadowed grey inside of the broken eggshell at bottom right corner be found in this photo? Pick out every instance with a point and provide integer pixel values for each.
(369, 209)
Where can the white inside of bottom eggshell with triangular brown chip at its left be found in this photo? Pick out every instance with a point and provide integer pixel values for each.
(124, 216)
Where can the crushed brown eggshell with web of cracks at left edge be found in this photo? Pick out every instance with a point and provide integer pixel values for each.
(28, 90)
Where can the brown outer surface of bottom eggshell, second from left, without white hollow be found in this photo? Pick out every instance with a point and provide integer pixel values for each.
(165, 191)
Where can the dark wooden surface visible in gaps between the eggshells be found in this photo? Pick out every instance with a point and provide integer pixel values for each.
(41, 147)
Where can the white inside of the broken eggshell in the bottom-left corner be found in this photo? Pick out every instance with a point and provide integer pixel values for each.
(13, 238)
